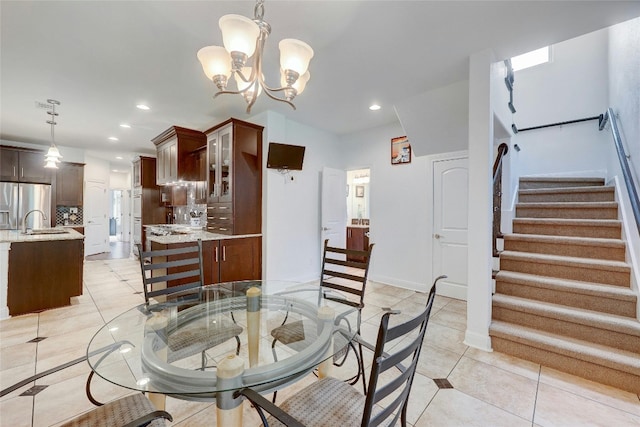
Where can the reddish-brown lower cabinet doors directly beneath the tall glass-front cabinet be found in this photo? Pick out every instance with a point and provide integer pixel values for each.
(240, 259)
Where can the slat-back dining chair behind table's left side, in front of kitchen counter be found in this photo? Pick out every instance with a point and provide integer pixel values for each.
(180, 271)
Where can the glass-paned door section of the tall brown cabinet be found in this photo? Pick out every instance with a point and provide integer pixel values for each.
(220, 152)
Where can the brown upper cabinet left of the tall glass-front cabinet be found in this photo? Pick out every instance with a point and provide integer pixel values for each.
(179, 151)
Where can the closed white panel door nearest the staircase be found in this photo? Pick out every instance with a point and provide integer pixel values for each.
(450, 210)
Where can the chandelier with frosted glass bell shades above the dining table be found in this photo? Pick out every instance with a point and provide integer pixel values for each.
(244, 38)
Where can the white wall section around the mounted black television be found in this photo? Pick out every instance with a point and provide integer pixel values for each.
(291, 208)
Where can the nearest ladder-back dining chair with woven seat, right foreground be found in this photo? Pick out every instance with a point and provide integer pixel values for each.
(331, 402)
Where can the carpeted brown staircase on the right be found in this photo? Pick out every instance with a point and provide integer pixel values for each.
(563, 293)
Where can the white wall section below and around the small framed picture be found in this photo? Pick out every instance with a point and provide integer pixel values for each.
(399, 208)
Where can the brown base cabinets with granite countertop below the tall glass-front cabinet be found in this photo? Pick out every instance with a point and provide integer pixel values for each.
(225, 258)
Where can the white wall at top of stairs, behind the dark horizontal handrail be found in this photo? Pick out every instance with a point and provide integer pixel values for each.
(572, 86)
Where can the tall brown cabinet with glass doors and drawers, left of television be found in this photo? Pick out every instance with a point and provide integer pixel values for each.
(234, 181)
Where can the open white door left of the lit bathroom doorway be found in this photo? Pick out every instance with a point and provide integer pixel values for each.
(334, 207)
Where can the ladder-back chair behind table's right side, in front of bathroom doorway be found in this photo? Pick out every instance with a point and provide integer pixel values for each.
(344, 271)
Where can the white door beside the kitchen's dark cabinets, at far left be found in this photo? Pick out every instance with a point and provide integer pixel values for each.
(96, 230)
